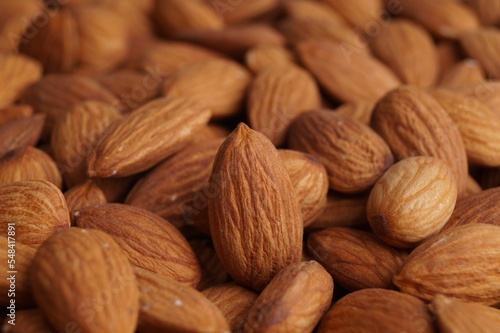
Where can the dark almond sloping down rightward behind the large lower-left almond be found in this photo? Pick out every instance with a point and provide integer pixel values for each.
(149, 241)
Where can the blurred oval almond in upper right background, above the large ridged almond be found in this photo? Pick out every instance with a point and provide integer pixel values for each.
(409, 50)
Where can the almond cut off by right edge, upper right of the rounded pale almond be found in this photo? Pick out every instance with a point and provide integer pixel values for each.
(477, 124)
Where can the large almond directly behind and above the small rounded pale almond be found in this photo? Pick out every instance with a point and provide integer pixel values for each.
(413, 124)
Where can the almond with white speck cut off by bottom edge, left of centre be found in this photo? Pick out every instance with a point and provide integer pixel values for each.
(168, 306)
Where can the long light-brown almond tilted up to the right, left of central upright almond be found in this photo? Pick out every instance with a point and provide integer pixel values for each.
(146, 136)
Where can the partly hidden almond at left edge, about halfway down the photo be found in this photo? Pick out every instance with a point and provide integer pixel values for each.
(29, 163)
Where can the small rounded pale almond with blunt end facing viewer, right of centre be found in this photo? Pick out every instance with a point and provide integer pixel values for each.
(412, 201)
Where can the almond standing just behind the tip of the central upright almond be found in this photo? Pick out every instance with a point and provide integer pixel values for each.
(277, 96)
